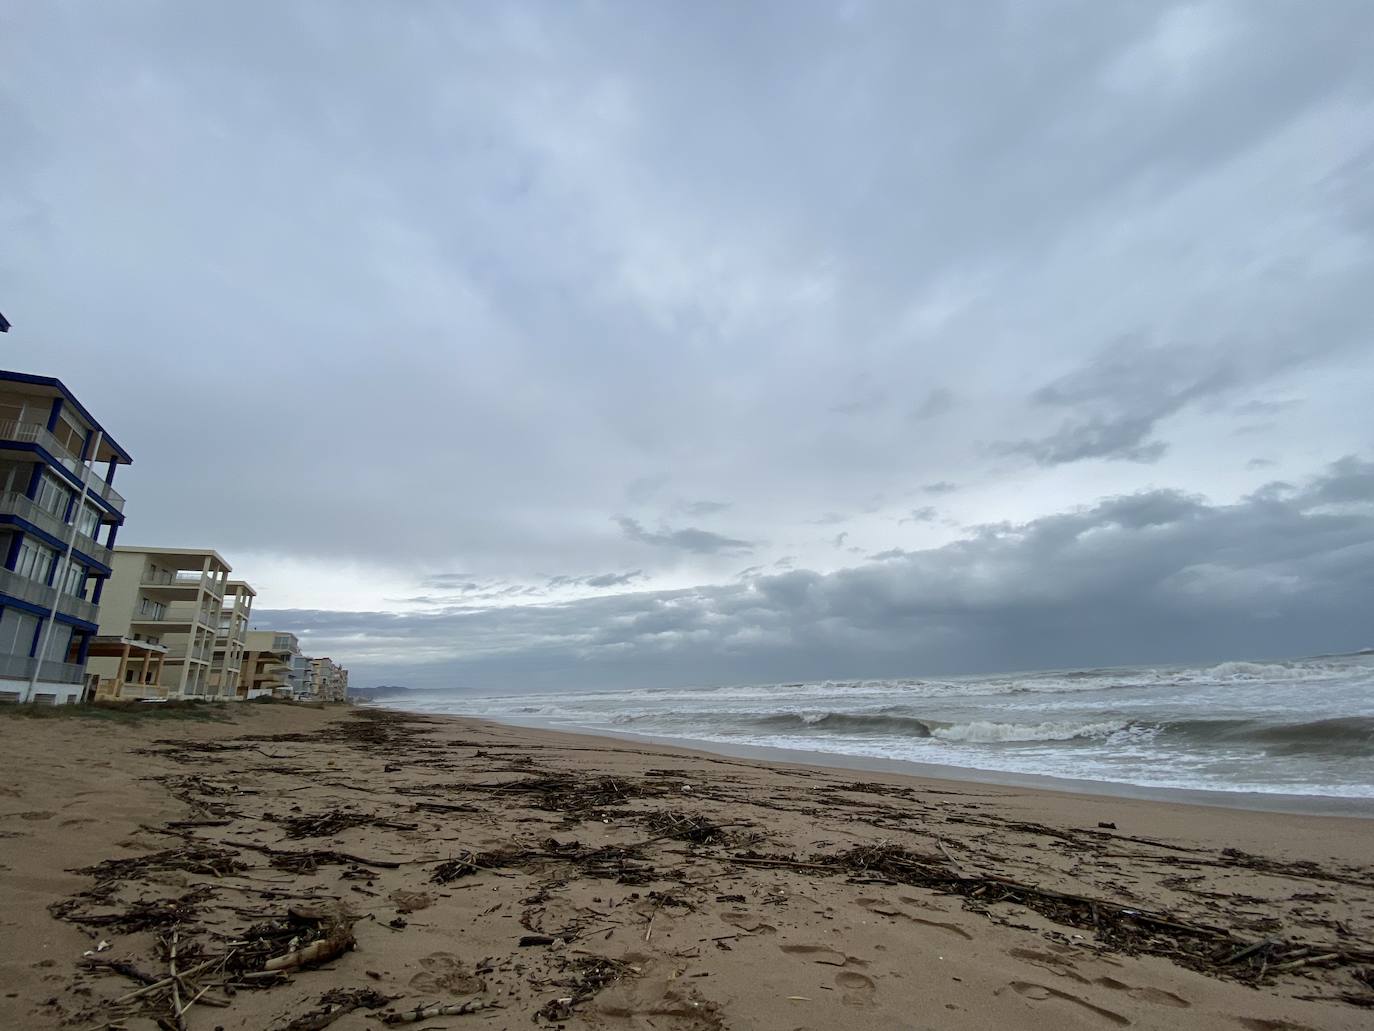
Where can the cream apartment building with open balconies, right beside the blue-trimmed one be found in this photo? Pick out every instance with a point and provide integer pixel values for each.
(167, 597)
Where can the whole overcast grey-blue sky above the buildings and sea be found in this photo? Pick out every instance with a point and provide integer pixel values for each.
(516, 346)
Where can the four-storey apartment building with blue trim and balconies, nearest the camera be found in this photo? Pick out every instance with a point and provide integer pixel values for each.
(57, 502)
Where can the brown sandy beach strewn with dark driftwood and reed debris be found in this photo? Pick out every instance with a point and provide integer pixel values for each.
(653, 889)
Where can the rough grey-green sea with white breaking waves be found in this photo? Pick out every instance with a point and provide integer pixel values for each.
(1298, 728)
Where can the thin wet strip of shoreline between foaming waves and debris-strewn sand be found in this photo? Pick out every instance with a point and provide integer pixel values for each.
(1343, 806)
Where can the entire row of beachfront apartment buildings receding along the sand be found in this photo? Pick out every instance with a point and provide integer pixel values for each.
(82, 618)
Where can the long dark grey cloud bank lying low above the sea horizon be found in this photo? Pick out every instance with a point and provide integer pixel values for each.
(1099, 584)
